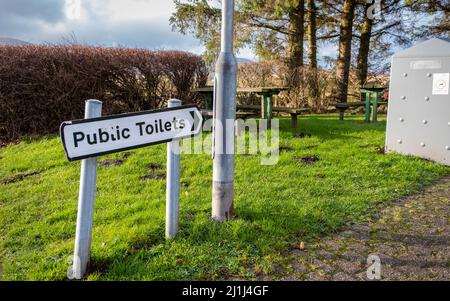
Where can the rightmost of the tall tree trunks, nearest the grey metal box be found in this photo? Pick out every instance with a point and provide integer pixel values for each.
(364, 48)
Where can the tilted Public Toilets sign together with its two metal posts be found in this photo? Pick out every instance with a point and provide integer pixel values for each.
(95, 136)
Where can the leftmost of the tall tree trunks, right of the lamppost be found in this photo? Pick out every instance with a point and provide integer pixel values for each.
(295, 41)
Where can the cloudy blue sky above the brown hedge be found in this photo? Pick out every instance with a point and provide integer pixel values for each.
(130, 23)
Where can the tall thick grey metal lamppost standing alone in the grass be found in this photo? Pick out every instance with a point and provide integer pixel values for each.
(224, 118)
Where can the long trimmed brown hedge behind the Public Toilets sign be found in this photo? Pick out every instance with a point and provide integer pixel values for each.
(41, 86)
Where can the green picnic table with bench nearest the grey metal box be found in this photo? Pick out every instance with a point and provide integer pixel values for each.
(367, 104)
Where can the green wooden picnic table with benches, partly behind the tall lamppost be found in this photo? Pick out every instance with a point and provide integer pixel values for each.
(266, 108)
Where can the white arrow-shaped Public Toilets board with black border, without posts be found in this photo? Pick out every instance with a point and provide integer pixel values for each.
(104, 135)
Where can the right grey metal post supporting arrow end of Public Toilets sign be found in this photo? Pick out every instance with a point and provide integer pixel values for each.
(173, 182)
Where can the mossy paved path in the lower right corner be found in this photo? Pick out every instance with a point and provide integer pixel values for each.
(411, 238)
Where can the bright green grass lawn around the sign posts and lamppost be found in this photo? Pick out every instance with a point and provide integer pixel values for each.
(275, 205)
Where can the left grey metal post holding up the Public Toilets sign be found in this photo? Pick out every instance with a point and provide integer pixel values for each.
(86, 198)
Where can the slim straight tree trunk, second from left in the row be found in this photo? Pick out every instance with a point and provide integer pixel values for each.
(313, 91)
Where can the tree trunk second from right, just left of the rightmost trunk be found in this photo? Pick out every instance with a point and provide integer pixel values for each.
(345, 44)
